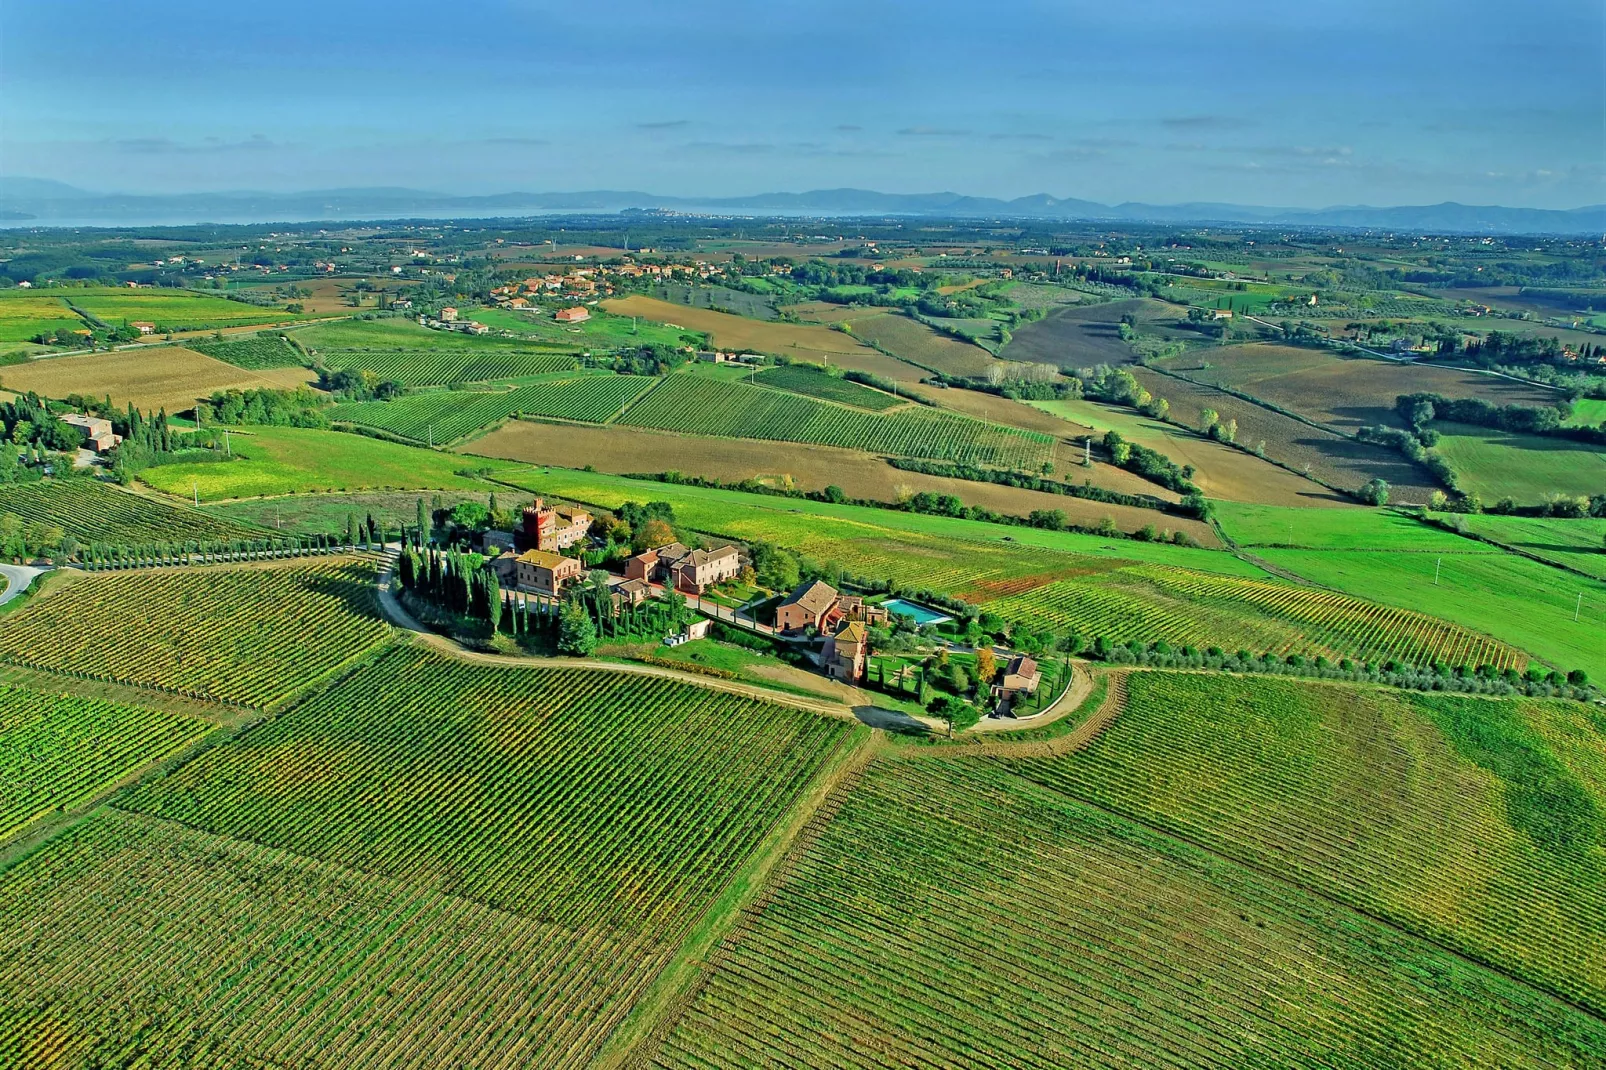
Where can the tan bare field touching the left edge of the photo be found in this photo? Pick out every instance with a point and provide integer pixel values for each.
(152, 378)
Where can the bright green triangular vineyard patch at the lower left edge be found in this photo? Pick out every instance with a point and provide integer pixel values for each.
(57, 749)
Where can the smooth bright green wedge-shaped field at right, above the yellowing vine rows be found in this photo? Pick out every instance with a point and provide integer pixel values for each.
(1518, 602)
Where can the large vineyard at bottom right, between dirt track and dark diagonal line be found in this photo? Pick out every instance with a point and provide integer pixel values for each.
(948, 915)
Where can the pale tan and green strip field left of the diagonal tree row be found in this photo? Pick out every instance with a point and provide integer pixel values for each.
(1220, 472)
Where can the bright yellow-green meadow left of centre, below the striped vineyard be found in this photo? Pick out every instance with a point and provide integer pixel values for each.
(293, 460)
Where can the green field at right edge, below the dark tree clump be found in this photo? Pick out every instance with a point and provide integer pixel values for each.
(1527, 468)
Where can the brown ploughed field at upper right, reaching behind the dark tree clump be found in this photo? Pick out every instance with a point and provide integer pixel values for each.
(1343, 393)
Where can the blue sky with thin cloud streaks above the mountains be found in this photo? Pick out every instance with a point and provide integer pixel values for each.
(1278, 104)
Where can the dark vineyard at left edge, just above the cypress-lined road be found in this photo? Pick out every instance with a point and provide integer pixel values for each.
(94, 513)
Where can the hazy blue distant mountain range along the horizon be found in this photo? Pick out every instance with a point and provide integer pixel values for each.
(54, 203)
